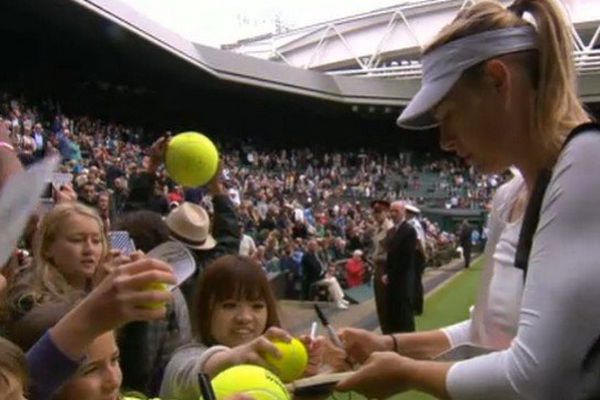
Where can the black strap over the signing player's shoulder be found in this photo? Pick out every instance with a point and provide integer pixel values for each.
(532, 213)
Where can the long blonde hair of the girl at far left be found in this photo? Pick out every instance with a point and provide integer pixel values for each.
(42, 279)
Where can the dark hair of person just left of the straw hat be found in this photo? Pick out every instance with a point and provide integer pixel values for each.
(146, 228)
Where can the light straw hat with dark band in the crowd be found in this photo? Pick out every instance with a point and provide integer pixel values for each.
(189, 224)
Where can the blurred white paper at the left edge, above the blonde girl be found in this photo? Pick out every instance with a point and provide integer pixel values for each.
(19, 198)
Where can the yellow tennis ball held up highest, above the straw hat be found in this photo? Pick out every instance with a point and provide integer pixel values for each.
(192, 159)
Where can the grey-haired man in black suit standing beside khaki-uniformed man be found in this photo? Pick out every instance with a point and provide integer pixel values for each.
(400, 276)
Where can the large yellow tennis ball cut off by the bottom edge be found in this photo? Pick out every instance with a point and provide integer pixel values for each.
(252, 380)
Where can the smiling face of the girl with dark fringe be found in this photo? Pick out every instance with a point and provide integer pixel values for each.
(235, 322)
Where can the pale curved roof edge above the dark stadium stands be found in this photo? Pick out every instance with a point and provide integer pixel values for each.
(248, 70)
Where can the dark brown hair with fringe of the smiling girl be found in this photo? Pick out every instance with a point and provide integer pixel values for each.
(230, 277)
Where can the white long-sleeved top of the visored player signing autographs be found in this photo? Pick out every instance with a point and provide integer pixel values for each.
(559, 318)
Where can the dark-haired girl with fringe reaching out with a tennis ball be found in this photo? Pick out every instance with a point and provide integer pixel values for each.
(235, 321)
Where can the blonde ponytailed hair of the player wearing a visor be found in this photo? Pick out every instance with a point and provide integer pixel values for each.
(552, 72)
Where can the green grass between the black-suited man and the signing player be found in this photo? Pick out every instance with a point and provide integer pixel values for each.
(447, 305)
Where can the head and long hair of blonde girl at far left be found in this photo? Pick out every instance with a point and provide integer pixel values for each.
(68, 247)
